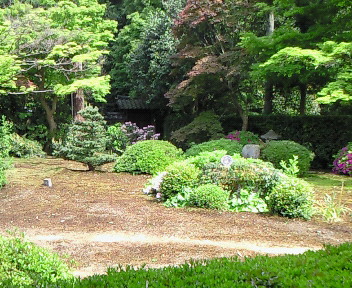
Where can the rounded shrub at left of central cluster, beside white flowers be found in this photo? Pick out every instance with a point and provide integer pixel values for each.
(179, 175)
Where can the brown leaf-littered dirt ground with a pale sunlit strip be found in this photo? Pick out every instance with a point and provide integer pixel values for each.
(101, 219)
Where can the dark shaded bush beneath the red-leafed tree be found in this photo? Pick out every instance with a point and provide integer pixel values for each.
(203, 128)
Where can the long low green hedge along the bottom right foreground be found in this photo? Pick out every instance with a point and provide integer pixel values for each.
(331, 267)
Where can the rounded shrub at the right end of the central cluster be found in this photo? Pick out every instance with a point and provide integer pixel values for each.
(292, 198)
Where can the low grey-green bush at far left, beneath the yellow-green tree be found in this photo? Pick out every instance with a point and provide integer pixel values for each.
(24, 148)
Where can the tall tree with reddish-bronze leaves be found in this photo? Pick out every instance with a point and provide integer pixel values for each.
(211, 66)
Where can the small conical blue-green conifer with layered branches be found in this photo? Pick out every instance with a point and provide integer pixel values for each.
(86, 140)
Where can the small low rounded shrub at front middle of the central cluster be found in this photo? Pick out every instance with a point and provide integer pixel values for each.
(210, 196)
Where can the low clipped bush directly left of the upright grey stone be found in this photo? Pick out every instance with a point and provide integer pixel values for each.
(231, 147)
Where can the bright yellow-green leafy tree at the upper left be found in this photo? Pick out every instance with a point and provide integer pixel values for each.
(59, 48)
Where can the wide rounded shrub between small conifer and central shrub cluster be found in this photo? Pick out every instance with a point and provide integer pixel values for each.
(149, 156)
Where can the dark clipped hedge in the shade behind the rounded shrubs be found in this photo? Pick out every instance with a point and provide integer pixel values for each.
(324, 135)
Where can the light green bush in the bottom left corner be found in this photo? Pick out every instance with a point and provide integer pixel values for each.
(24, 264)
